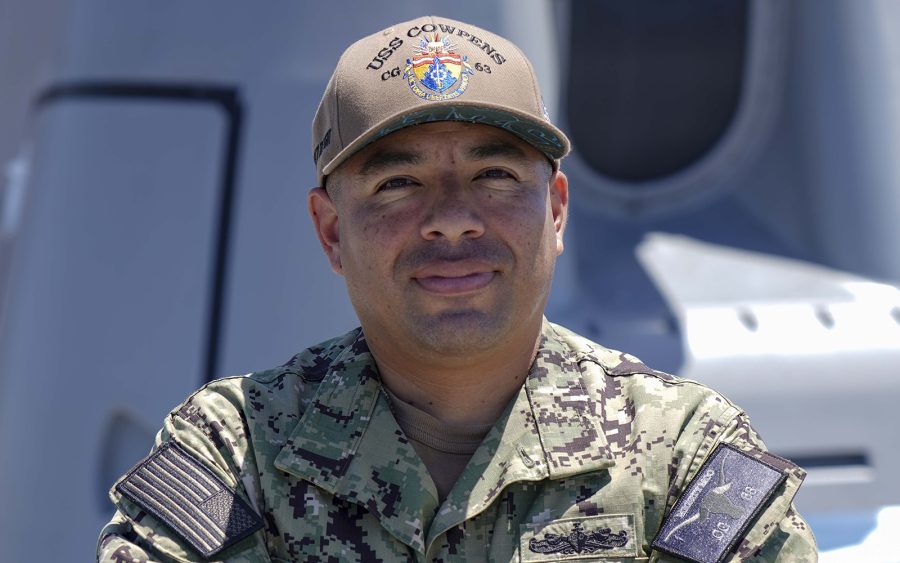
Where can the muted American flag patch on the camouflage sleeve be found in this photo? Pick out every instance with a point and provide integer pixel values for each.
(178, 490)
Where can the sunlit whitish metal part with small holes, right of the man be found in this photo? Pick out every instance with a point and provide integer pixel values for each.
(807, 351)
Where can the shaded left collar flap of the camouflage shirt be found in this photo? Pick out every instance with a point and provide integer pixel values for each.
(348, 443)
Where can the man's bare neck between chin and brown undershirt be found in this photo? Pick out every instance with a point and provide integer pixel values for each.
(460, 390)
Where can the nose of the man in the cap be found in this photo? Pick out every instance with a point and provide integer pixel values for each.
(454, 214)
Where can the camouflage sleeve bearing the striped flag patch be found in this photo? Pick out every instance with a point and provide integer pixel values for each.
(209, 435)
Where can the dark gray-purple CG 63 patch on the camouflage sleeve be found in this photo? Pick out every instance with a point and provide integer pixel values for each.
(718, 506)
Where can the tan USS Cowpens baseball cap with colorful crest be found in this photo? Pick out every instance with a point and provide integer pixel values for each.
(424, 70)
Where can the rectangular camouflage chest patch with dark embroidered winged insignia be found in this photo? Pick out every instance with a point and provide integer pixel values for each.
(606, 535)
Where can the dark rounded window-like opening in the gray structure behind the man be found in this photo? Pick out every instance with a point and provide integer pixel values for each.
(653, 84)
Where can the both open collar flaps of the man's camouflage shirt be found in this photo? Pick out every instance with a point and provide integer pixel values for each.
(348, 443)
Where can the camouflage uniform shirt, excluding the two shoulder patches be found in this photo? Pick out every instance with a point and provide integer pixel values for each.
(584, 463)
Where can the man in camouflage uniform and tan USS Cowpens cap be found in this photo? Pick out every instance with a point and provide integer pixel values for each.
(457, 424)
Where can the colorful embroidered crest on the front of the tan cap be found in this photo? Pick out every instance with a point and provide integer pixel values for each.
(435, 72)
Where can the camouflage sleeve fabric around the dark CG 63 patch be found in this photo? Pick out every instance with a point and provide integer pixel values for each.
(777, 533)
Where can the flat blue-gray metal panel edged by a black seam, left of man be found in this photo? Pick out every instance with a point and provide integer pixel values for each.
(112, 266)
